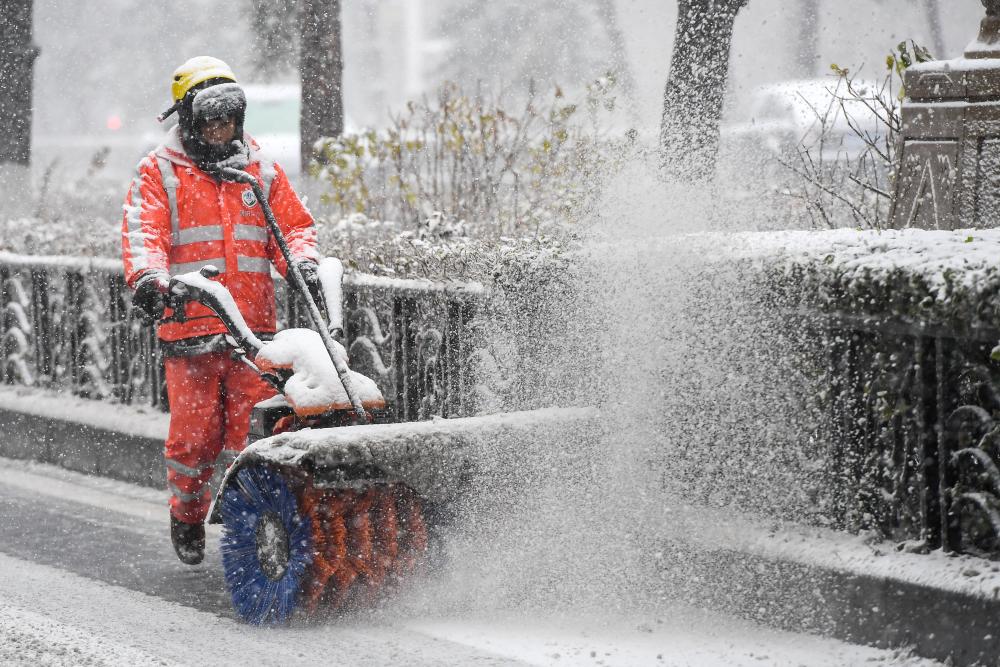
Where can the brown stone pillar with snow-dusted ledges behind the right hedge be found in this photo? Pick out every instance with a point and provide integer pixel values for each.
(948, 173)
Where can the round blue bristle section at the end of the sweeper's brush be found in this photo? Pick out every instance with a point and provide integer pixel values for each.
(256, 598)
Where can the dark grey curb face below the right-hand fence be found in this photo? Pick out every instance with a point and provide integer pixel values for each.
(959, 628)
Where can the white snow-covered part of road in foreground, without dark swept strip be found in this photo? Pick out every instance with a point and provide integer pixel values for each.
(49, 616)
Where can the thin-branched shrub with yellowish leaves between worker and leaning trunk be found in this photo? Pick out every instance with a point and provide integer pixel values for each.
(467, 158)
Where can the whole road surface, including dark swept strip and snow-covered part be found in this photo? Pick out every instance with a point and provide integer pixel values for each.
(89, 578)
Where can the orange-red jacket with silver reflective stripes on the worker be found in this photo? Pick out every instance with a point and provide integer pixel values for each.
(178, 219)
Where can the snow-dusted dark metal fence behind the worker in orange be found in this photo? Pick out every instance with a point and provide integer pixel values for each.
(66, 325)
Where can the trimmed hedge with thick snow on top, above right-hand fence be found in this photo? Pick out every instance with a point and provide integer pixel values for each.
(927, 277)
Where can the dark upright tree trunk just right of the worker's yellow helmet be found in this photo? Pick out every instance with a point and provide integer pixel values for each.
(321, 71)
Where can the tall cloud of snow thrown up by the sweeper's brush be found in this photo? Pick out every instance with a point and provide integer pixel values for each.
(668, 339)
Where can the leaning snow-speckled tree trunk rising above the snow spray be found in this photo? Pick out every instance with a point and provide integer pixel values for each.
(696, 87)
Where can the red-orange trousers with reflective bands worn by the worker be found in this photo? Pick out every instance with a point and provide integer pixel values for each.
(210, 400)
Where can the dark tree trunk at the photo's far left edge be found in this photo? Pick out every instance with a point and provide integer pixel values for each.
(17, 59)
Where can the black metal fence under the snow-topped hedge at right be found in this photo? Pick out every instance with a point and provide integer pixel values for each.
(913, 432)
